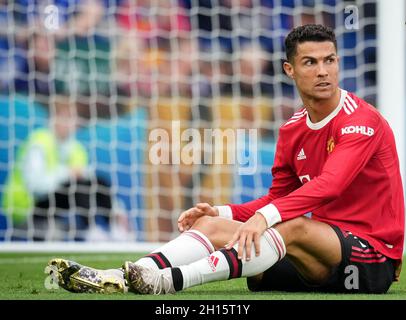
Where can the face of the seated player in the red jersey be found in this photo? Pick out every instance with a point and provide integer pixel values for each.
(315, 69)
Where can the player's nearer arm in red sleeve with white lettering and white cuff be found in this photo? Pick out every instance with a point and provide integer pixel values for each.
(358, 140)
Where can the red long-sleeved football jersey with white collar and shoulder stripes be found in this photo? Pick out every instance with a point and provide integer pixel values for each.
(343, 169)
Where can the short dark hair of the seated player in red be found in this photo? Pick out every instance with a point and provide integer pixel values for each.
(309, 32)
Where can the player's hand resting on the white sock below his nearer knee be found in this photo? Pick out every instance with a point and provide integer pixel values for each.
(249, 232)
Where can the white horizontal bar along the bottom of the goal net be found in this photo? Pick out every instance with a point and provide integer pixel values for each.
(103, 247)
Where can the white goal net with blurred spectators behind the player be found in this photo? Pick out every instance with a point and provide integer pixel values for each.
(168, 104)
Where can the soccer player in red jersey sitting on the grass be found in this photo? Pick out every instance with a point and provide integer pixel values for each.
(336, 159)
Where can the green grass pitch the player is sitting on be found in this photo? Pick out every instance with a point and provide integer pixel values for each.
(22, 277)
